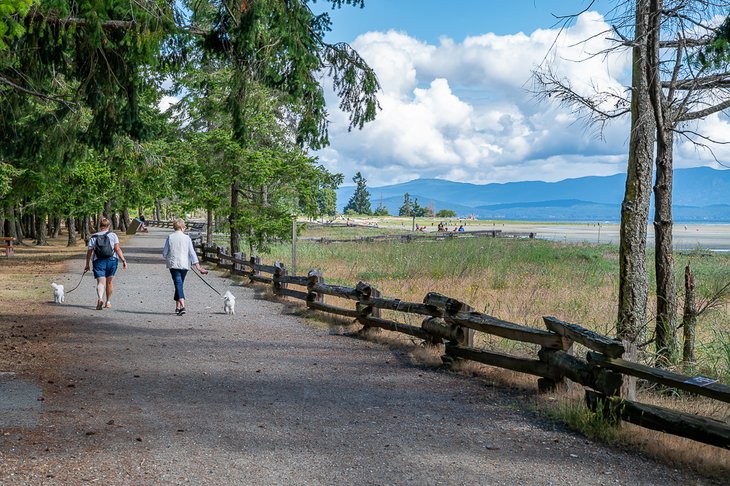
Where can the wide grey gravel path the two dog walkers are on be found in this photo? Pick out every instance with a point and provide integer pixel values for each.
(137, 395)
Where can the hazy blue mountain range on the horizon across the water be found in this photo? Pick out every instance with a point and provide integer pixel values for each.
(701, 194)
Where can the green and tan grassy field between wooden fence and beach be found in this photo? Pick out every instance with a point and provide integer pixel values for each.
(518, 280)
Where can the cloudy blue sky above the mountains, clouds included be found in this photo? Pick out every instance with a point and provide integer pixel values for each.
(456, 102)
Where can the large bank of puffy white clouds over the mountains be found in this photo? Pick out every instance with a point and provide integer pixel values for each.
(466, 111)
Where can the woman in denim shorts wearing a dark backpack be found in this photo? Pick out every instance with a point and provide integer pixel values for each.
(106, 253)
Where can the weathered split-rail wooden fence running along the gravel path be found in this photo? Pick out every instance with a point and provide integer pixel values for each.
(452, 323)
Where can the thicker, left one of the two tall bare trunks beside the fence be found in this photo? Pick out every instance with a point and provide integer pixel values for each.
(633, 279)
